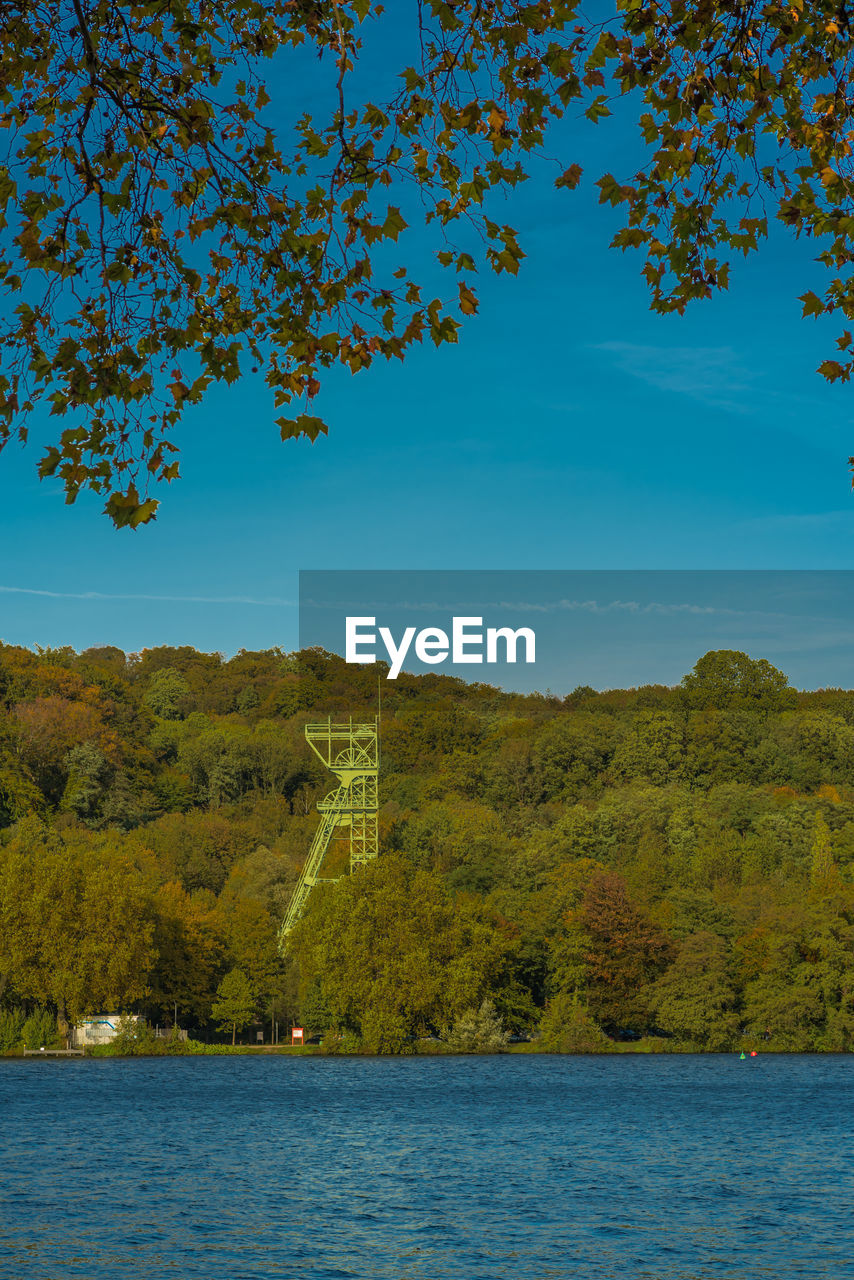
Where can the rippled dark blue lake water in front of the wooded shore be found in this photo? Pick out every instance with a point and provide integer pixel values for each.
(423, 1169)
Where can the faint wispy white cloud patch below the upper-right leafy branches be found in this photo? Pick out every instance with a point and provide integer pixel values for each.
(714, 376)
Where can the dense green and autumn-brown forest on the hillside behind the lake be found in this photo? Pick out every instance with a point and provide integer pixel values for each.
(668, 867)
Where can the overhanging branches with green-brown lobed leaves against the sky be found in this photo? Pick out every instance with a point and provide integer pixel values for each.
(170, 220)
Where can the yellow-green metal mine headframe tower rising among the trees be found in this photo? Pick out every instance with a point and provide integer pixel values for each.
(351, 752)
